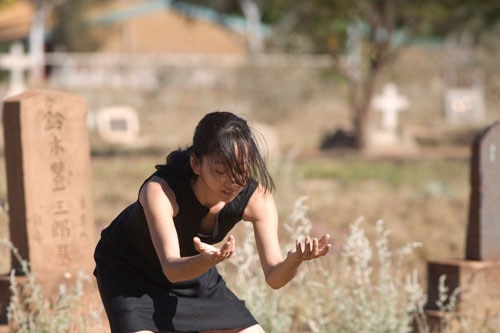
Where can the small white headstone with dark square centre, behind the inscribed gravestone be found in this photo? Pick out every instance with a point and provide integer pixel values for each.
(118, 124)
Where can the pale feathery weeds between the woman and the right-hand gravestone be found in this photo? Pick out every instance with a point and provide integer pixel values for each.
(362, 288)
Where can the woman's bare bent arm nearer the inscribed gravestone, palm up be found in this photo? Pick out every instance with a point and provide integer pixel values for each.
(158, 201)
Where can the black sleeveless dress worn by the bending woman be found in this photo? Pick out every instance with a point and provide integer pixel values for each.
(135, 292)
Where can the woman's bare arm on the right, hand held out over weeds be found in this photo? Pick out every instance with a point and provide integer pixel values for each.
(261, 211)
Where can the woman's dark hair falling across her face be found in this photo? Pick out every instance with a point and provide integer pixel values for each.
(229, 138)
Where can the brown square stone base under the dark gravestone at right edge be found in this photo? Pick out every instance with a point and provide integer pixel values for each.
(477, 282)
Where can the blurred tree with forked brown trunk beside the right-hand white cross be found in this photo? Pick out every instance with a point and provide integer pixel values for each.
(363, 36)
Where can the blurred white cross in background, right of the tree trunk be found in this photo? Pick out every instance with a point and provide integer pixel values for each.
(390, 103)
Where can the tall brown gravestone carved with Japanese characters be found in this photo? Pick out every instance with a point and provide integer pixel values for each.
(48, 178)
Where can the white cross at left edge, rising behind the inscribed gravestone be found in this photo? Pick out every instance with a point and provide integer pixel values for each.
(17, 62)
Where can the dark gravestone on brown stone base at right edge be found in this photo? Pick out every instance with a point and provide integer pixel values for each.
(477, 275)
